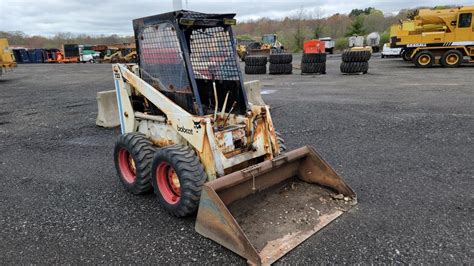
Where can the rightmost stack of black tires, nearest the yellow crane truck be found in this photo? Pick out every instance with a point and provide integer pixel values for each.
(355, 61)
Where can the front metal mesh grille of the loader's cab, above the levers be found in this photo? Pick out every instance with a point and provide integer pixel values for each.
(212, 55)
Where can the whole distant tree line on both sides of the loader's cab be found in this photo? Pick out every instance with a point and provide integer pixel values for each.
(292, 31)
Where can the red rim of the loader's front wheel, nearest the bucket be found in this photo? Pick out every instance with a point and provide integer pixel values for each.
(168, 183)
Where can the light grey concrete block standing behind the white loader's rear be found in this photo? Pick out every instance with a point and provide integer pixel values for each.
(107, 109)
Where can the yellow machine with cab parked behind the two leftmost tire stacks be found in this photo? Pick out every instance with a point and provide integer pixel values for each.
(268, 45)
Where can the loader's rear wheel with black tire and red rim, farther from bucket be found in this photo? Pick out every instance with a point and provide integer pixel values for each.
(133, 154)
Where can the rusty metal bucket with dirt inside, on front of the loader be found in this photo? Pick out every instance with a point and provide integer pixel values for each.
(264, 211)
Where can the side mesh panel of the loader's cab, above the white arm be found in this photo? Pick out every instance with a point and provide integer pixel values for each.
(161, 58)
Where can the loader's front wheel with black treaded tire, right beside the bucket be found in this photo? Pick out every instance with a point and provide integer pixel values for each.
(190, 174)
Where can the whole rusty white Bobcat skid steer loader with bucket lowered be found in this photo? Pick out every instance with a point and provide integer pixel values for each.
(190, 134)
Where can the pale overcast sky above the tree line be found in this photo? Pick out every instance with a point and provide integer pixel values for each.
(48, 17)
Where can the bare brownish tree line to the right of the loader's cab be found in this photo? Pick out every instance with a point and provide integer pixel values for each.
(304, 25)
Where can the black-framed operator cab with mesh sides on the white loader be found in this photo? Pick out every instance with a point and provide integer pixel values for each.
(184, 54)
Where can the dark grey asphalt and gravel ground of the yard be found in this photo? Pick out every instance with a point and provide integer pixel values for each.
(402, 137)
